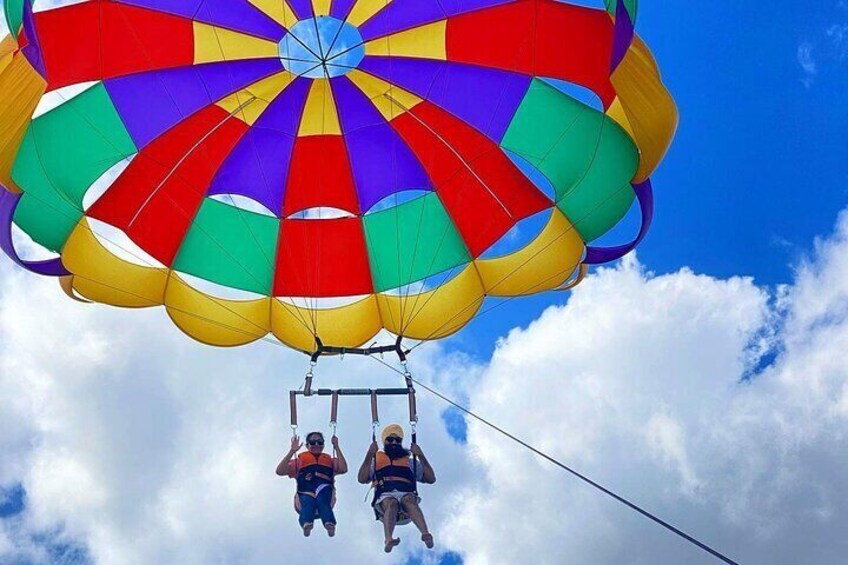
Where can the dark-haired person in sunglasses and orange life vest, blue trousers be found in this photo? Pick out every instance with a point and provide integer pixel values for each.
(315, 472)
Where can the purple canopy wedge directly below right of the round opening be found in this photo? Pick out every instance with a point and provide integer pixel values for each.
(381, 162)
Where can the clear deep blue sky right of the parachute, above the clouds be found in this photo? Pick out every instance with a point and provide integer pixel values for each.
(759, 167)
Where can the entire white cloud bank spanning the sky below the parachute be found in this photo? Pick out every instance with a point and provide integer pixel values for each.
(146, 447)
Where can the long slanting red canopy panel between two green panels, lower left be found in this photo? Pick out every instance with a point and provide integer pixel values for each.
(156, 198)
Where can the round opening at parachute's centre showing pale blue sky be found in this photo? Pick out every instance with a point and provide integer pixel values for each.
(321, 47)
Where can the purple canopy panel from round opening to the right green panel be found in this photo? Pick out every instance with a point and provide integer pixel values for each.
(485, 99)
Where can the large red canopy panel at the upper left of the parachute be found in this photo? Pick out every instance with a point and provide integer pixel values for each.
(98, 40)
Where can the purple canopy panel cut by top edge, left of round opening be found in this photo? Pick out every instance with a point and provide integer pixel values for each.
(237, 15)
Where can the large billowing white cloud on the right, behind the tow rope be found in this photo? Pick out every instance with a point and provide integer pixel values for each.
(638, 382)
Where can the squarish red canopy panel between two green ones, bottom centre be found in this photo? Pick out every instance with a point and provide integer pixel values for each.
(322, 258)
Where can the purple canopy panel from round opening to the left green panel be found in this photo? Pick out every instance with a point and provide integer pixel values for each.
(179, 93)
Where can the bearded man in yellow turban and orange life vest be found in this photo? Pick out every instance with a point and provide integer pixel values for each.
(394, 473)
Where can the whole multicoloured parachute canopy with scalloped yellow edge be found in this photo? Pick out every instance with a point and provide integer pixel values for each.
(345, 165)
